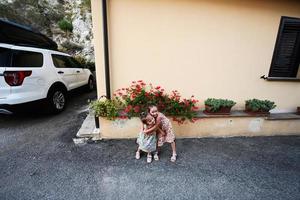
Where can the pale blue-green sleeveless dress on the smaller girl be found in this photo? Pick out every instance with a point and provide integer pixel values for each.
(147, 143)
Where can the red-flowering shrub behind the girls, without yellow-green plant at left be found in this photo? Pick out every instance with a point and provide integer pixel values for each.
(139, 96)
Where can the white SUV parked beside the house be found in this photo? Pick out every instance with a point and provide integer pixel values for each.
(29, 74)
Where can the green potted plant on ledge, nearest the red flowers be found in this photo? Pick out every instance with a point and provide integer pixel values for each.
(218, 106)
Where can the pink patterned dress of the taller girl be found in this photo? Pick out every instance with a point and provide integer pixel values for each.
(166, 127)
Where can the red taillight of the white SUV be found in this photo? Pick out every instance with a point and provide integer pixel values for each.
(16, 78)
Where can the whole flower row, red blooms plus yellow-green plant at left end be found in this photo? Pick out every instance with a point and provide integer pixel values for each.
(130, 101)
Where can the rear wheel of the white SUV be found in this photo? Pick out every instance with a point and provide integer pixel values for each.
(57, 100)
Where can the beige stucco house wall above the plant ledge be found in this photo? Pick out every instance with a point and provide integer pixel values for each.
(208, 48)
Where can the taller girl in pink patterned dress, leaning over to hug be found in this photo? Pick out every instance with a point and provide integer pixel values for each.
(165, 125)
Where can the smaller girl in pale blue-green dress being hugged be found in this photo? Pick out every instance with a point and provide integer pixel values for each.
(146, 141)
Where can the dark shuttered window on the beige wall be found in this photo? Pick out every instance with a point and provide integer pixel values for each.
(286, 56)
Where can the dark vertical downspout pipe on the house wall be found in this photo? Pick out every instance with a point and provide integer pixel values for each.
(106, 48)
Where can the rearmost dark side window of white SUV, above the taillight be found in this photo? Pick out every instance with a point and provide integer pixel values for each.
(26, 59)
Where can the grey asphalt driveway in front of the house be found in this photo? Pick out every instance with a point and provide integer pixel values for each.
(39, 161)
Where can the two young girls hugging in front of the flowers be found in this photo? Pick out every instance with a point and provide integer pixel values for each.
(156, 130)
